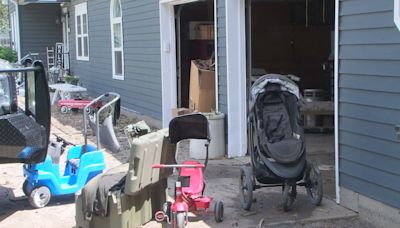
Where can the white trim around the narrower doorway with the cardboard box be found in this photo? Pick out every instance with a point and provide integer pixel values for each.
(168, 57)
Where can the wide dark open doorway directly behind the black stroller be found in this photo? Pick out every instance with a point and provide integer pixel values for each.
(296, 38)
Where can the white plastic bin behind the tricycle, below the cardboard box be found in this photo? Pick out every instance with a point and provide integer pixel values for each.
(216, 148)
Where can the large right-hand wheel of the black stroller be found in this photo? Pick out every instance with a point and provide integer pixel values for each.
(314, 184)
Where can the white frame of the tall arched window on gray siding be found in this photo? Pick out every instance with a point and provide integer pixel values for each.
(113, 21)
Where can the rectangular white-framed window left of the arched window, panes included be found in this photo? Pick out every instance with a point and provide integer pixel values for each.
(81, 32)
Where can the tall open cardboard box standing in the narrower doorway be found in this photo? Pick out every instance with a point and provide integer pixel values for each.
(202, 89)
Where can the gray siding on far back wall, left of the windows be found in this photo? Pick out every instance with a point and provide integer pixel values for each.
(38, 28)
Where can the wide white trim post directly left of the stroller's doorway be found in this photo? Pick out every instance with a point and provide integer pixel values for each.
(236, 77)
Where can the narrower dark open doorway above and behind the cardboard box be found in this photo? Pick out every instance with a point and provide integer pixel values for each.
(195, 40)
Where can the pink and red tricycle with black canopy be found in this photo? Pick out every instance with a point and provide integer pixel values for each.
(189, 186)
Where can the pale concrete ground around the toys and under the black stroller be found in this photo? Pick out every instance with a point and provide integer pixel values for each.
(222, 183)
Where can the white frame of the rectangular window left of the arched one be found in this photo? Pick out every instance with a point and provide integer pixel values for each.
(80, 10)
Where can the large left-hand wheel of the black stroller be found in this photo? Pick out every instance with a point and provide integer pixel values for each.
(246, 187)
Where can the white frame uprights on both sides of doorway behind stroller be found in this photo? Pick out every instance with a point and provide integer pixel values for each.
(236, 82)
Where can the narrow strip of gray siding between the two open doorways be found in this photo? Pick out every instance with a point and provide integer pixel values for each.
(221, 45)
